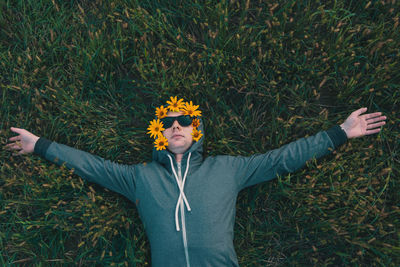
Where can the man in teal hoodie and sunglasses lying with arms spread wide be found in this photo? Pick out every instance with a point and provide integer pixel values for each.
(187, 203)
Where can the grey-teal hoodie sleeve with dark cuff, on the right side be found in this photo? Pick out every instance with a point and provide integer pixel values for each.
(288, 158)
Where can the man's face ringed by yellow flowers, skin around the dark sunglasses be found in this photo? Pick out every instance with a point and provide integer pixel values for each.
(179, 137)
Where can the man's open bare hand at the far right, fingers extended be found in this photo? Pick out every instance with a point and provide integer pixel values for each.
(357, 125)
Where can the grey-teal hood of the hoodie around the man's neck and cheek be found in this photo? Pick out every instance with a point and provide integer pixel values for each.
(196, 150)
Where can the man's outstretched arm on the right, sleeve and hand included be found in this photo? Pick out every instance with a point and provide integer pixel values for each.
(292, 156)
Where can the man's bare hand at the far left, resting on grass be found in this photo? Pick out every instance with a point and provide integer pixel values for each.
(24, 143)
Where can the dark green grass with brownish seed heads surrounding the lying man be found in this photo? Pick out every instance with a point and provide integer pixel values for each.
(89, 74)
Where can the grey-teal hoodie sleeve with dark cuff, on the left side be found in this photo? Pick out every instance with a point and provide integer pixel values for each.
(116, 177)
